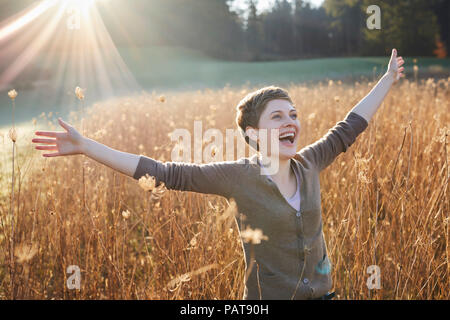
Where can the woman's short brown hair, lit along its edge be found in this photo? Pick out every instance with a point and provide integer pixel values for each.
(250, 108)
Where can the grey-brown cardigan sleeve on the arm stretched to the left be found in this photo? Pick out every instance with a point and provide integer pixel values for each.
(213, 178)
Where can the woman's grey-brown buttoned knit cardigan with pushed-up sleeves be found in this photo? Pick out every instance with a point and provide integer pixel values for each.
(293, 263)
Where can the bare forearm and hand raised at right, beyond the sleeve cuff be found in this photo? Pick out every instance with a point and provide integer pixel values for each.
(367, 107)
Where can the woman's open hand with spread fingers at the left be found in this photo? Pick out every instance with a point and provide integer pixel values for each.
(66, 143)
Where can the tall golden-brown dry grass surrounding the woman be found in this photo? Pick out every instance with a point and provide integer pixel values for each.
(385, 202)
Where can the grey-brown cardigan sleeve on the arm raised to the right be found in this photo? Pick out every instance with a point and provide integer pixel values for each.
(337, 140)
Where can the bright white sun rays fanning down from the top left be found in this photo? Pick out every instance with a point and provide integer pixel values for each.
(82, 54)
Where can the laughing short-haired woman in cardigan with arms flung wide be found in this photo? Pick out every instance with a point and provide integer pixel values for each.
(292, 262)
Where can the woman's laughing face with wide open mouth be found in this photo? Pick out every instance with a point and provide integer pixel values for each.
(280, 114)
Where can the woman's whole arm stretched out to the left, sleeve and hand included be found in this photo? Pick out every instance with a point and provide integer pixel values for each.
(215, 178)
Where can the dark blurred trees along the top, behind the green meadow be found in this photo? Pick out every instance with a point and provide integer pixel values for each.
(289, 30)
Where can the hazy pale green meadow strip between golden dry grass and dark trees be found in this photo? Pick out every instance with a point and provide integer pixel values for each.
(46, 87)
